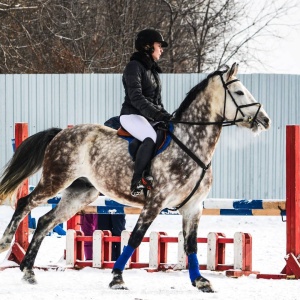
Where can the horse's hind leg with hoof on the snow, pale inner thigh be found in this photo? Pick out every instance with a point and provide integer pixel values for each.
(74, 199)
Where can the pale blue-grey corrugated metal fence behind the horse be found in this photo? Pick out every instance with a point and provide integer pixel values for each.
(244, 166)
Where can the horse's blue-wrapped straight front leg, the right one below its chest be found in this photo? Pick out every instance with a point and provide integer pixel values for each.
(190, 221)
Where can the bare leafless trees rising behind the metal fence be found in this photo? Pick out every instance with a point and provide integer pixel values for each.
(86, 36)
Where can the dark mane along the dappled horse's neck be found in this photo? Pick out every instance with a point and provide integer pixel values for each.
(192, 94)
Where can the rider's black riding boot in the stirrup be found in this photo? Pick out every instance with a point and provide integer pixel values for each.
(142, 160)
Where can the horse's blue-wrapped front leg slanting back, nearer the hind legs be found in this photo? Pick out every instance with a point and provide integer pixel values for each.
(146, 218)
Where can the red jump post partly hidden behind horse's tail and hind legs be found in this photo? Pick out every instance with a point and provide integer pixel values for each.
(21, 237)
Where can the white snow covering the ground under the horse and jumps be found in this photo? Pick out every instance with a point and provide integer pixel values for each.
(268, 234)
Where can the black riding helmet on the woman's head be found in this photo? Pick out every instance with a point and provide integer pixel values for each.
(148, 37)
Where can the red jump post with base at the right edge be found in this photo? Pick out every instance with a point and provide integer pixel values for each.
(292, 267)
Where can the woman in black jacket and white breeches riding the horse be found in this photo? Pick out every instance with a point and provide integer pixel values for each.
(142, 107)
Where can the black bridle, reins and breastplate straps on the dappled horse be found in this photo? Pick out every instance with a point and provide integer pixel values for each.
(223, 123)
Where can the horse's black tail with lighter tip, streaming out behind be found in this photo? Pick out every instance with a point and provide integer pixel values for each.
(27, 160)
